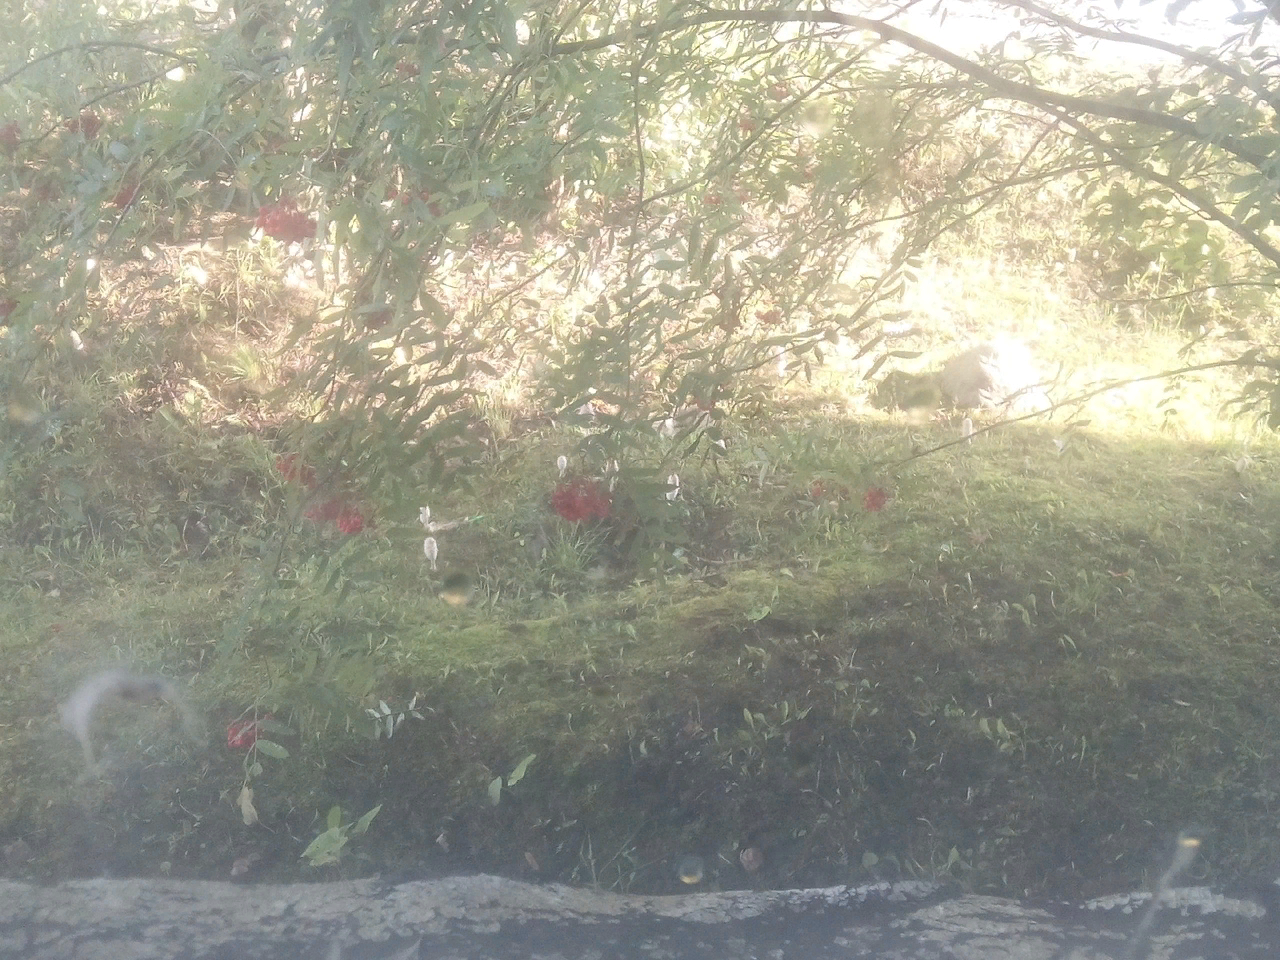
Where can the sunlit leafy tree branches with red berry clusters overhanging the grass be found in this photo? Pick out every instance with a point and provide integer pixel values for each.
(651, 202)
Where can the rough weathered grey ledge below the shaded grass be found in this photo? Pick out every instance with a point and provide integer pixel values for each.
(474, 918)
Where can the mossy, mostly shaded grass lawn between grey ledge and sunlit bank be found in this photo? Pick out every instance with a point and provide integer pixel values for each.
(1023, 675)
